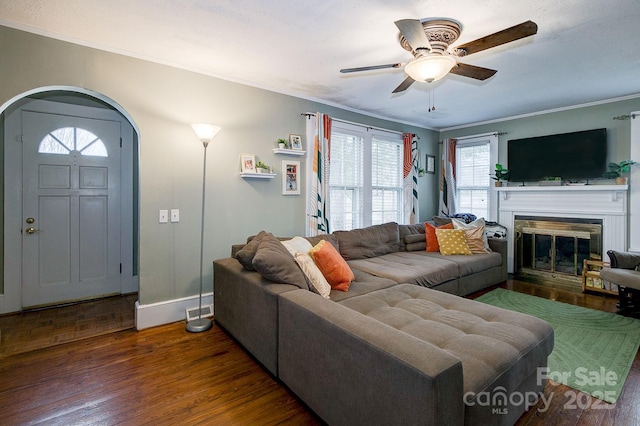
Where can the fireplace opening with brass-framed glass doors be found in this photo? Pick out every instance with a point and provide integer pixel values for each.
(556, 247)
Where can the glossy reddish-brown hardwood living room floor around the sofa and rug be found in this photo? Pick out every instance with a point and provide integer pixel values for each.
(166, 375)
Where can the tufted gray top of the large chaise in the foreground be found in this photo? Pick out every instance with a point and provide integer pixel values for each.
(497, 347)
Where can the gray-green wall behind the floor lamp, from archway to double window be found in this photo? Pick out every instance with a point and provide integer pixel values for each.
(163, 102)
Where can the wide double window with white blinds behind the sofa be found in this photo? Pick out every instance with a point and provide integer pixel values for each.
(365, 179)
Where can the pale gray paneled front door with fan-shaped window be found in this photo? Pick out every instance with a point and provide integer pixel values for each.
(71, 208)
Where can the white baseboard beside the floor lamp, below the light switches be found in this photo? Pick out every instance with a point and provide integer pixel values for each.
(155, 314)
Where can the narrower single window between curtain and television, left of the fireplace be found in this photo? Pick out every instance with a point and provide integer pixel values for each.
(475, 158)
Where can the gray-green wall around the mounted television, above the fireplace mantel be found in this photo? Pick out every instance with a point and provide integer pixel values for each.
(584, 118)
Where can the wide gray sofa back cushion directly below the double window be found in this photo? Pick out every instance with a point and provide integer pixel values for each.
(369, 242)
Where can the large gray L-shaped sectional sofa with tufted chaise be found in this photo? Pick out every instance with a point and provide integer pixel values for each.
(397, 348)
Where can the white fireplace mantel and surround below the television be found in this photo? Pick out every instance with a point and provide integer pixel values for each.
(605, 202)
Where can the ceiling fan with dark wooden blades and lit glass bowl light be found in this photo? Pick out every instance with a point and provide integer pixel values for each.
(429, 40)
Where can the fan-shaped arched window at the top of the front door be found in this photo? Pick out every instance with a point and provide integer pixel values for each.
(68, 139)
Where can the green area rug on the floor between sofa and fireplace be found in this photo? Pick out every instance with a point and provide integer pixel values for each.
(593, 350)
